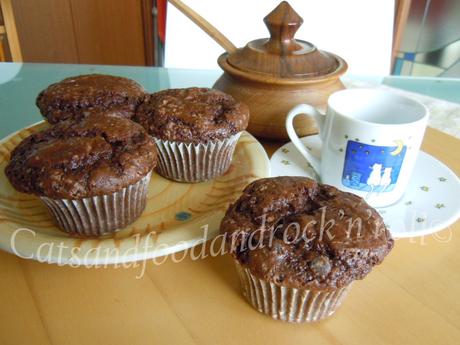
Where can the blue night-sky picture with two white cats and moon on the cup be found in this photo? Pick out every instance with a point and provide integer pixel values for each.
(370, 168)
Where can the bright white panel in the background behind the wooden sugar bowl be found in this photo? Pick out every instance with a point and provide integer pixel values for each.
(360, 31)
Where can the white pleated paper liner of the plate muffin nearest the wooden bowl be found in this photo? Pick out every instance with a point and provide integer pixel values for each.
(187, 162)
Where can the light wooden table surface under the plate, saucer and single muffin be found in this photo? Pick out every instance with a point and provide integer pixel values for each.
(412, 298)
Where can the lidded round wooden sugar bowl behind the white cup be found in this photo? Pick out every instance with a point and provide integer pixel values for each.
(273, 75)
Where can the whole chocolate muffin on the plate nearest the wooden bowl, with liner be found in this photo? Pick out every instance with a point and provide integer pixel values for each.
(195, 130)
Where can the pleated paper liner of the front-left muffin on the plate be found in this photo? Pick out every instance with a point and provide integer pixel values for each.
(99, 215)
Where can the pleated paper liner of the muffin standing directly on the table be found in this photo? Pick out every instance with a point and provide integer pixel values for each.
(289, 304)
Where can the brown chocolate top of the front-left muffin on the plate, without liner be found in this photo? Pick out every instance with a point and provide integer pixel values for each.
(72, 160)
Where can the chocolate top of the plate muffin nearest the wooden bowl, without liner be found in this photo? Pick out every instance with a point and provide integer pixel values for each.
(192, 115)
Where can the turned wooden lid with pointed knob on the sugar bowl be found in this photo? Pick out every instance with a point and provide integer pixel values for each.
(281, 55)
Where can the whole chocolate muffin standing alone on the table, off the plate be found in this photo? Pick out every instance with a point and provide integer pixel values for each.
(298, 245)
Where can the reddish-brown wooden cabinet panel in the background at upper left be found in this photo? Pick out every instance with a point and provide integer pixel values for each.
(114, 32)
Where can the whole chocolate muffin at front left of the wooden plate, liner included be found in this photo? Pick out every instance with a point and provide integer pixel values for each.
(92, 175)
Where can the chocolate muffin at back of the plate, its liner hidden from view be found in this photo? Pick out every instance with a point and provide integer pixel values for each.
(79, 96)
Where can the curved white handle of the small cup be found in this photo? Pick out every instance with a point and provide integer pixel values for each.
(319, 118)
